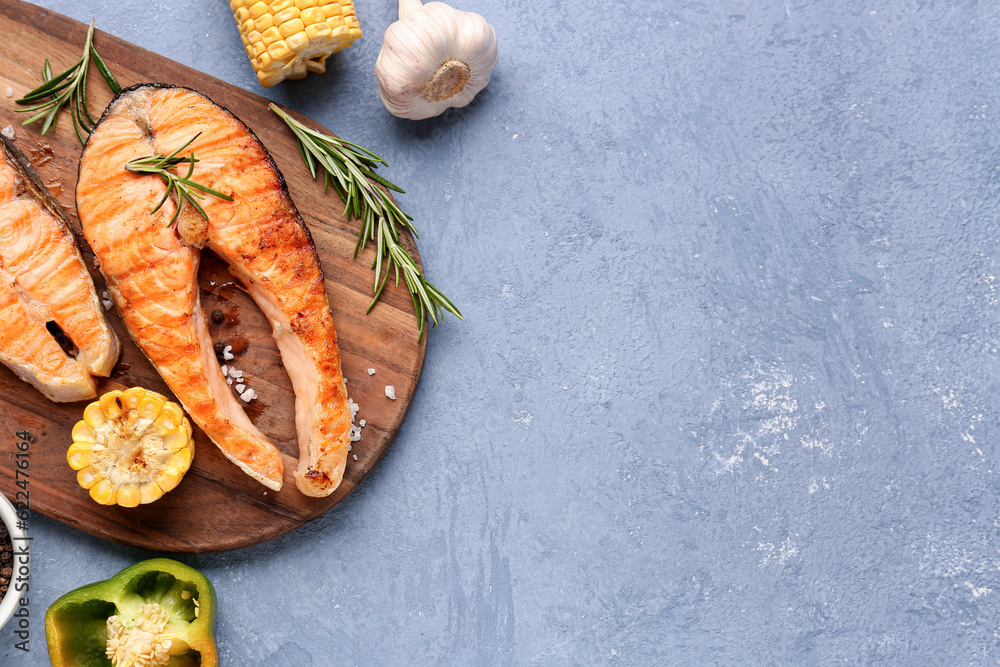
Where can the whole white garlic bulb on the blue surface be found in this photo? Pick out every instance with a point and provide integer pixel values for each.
(435, 57)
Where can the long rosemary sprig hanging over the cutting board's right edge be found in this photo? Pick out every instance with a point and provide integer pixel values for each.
(348, 167)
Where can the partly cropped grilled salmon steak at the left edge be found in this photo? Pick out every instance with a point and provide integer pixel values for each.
(43, 280)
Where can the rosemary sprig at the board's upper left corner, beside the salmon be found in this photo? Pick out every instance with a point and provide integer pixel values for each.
(68, 88)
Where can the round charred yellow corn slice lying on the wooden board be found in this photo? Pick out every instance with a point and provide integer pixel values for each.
(131, 447)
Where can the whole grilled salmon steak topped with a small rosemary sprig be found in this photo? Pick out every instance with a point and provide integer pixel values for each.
(152, 272)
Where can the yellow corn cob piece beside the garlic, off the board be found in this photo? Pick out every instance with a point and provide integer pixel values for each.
(286, 39)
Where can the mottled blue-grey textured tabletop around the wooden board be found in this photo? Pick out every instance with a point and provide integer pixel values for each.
(726, 392)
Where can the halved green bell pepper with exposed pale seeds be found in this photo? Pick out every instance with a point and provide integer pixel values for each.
(157, 602)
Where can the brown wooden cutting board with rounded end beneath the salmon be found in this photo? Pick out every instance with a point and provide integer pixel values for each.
(216, 507)
